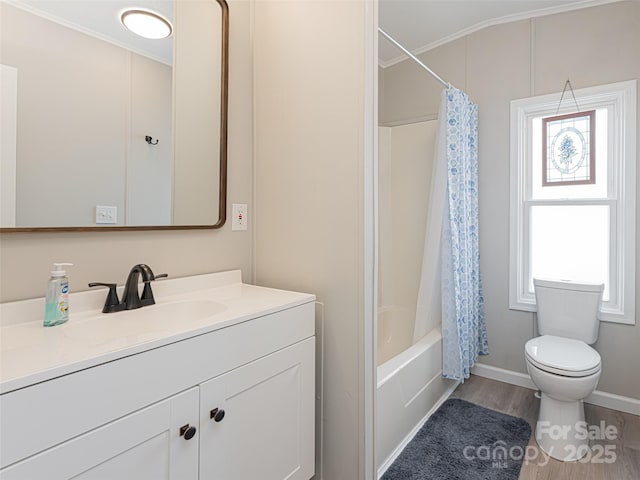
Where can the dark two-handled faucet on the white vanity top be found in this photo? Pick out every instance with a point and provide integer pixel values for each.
(130, 299)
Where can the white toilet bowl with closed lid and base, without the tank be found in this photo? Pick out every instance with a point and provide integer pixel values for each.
(566, 371)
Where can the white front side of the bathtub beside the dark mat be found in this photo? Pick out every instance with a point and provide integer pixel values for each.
(410, 388)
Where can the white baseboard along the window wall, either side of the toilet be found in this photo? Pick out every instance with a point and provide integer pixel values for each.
(600, 398)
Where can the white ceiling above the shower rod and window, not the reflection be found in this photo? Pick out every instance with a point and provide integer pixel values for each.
(420, 25)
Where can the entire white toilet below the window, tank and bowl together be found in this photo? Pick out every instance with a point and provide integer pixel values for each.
(563, 365)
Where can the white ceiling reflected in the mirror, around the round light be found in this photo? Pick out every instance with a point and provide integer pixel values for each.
(101, 18)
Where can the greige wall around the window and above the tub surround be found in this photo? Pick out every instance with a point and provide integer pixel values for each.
(591, 46)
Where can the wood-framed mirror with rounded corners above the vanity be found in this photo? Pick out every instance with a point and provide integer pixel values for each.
(104, 131)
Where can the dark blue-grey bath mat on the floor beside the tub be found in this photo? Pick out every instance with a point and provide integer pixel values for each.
(464, 441)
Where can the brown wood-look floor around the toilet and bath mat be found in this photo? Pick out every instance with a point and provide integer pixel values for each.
(520, 402)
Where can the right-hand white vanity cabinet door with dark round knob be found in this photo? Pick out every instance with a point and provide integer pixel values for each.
(257, 421)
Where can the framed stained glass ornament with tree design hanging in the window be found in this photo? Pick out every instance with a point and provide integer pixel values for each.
(568, 149)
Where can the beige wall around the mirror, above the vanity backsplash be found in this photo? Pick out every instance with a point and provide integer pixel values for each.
(25, 258)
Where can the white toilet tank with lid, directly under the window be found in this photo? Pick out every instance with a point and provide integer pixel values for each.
(568, 309)
